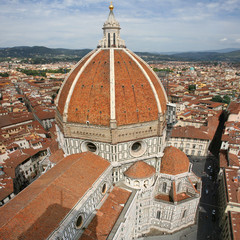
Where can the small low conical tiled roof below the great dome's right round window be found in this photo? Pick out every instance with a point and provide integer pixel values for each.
(140, 170)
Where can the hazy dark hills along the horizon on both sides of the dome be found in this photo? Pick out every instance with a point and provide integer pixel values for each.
(39, 54)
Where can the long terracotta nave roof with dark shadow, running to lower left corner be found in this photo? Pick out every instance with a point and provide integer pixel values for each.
(36, 211)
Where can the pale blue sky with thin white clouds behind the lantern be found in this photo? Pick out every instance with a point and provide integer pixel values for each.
(146, 25)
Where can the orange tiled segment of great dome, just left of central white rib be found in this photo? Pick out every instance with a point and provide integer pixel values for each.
(91, 95)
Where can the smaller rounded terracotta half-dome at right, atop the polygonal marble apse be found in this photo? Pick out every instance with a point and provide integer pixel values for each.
(174, 161)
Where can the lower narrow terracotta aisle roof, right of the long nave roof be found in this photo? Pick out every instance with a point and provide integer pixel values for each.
(107, 215)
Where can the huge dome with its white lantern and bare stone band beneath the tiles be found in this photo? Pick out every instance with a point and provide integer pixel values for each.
(111, 95)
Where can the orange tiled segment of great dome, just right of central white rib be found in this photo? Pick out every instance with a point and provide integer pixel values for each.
(135, 101)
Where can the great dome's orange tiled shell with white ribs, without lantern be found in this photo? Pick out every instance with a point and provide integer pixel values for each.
(111, 84)
